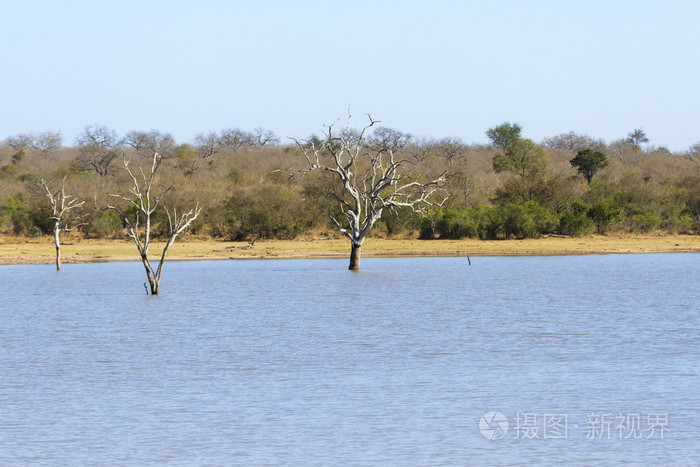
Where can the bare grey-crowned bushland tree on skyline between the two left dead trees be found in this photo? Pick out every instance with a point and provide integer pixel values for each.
(97, 149)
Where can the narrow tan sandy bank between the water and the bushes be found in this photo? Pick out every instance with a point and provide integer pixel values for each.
(41, 251)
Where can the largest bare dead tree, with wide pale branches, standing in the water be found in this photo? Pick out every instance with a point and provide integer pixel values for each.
(373, 178)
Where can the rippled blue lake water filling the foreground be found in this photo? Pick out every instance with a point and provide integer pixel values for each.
(586, 359)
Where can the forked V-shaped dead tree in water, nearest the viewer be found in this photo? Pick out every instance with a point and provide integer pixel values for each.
(142, 199)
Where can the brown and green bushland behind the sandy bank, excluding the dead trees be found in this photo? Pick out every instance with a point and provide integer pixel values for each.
(253, 185)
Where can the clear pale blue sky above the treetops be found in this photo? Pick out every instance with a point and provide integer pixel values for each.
(431, 68)
